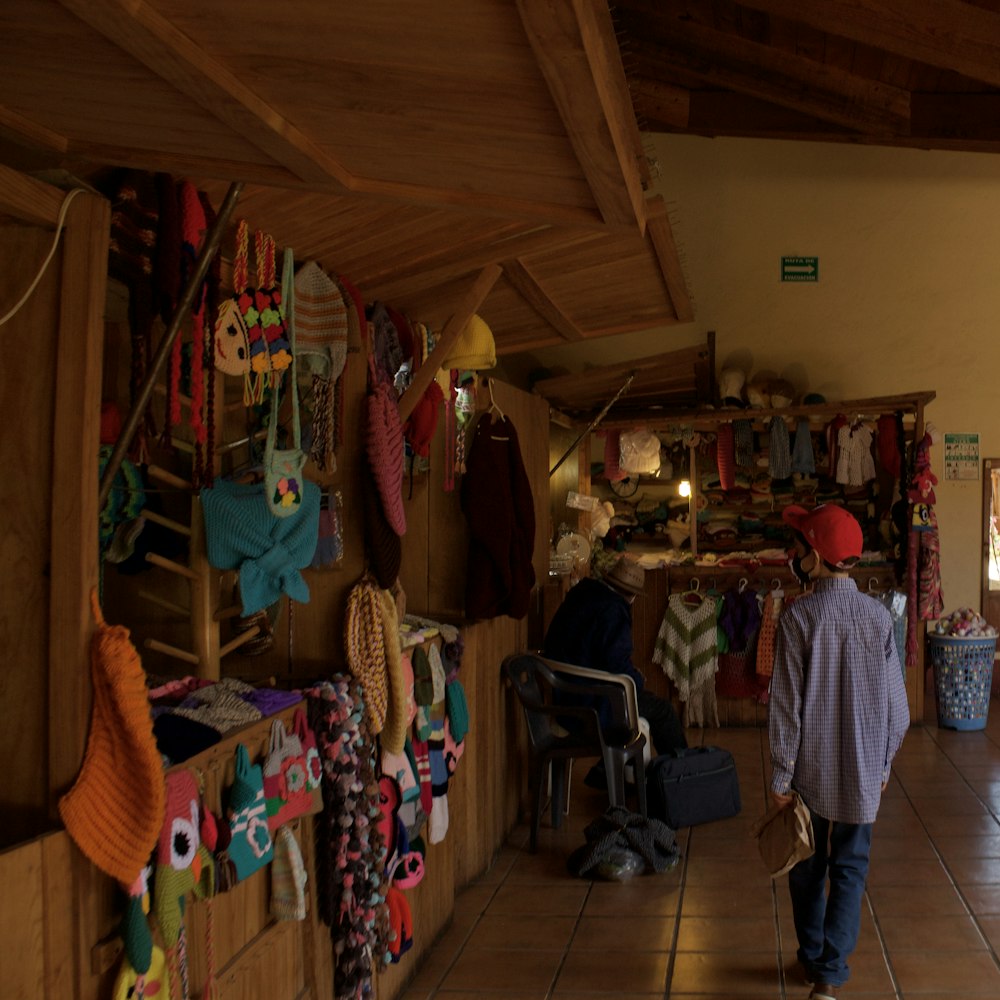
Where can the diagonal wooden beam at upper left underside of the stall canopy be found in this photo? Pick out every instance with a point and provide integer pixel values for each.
(136, 28)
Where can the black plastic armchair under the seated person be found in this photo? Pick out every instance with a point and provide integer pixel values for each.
(559, 733)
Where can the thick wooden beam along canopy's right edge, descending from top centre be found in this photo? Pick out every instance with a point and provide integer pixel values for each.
(577, 52)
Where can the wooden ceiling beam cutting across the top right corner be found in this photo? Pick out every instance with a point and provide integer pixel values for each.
(950, 34)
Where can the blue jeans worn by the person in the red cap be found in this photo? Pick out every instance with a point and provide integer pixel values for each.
(827, 925)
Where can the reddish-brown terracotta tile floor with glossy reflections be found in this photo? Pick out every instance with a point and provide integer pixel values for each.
(716, 926)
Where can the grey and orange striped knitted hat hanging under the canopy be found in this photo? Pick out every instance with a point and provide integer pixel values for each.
(320, 322)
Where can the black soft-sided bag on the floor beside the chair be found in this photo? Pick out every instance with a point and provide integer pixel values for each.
(691, 786)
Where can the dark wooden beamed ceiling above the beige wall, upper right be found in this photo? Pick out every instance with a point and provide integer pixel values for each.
(886, 72)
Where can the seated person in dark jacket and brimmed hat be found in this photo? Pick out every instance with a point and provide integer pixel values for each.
(593, 628)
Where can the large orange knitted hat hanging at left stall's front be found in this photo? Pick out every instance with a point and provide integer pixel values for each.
(115, 809)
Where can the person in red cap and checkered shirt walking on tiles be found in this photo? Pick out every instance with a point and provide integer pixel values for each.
(838, 714)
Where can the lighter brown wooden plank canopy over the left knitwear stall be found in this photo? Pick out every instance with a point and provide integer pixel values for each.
(406, 146)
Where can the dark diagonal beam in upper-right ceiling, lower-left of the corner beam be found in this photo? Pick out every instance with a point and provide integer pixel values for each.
(788, 80)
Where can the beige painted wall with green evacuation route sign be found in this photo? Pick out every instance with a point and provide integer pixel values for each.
(908, 299)
